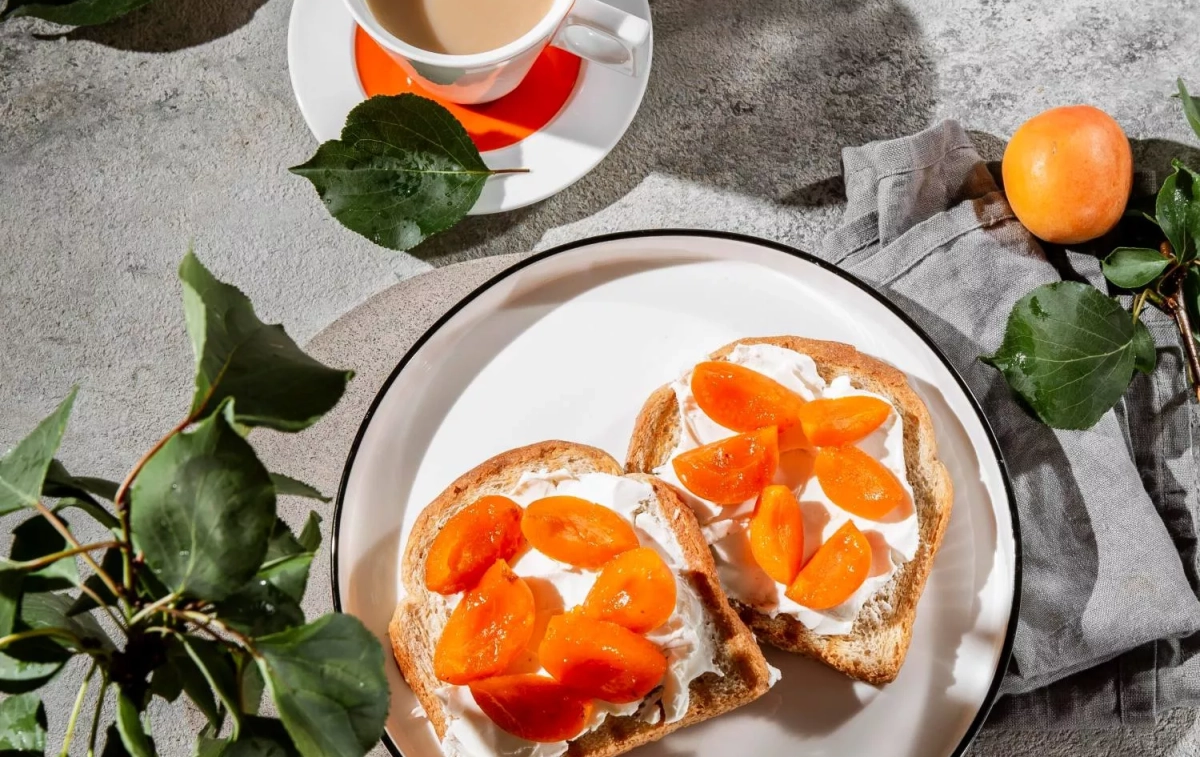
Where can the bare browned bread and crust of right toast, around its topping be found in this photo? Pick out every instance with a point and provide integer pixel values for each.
(879, 641)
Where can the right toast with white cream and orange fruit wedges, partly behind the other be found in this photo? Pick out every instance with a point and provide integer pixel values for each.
(813, 471)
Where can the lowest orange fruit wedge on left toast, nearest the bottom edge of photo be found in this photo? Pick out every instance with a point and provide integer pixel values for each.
(532, 707)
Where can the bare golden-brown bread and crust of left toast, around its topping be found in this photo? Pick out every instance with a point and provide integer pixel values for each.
(417, 626)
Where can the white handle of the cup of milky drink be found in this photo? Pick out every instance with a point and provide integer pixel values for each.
(603, 34)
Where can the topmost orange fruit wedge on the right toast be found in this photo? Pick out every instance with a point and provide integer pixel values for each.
(745, 400)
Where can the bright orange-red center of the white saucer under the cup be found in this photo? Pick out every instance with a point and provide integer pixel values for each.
(493, 125)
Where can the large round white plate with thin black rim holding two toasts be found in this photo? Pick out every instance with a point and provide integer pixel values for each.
(568, 345)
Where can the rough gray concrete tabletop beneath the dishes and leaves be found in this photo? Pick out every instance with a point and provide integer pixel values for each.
(122, 146)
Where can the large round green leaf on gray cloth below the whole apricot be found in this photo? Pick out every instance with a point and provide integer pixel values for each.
(1069, 352)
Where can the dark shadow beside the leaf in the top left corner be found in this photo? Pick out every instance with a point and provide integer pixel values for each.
(170, 26)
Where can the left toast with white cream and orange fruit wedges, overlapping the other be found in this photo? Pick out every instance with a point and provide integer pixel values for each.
(556, 605)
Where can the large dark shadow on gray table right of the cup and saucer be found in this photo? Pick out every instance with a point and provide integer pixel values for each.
(755, 98)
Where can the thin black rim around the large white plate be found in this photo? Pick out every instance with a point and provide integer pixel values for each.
(1006, 652)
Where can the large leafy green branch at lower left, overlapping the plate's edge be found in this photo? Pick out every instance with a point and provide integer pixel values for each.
(208, 578)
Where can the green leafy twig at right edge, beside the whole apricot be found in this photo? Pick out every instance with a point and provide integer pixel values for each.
(1071, 352)
